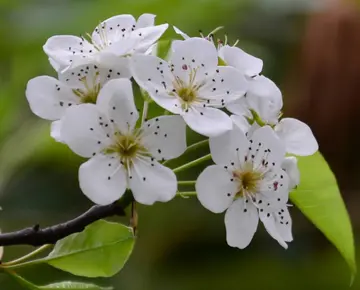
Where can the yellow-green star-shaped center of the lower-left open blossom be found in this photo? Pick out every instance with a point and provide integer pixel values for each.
(127, 147)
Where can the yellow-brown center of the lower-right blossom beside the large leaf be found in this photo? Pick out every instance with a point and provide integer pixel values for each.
(248, 181)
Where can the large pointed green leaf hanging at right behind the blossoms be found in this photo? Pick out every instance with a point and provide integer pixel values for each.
(319, 198)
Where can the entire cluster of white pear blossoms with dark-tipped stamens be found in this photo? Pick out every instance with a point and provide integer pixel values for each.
(92, 106)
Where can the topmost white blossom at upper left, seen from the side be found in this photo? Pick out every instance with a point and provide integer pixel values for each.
(118, 36)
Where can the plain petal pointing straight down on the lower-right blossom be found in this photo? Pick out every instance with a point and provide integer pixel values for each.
(241, 221)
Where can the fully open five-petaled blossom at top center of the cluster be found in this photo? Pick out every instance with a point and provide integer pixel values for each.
(191, 84)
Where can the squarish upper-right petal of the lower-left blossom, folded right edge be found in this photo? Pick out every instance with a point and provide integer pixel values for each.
(165, 137)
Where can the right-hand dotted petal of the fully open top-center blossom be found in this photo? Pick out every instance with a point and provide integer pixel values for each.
(225, 85)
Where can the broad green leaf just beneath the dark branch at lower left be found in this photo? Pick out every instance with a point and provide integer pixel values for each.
(101, 250)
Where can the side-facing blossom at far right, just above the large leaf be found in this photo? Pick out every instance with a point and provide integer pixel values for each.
(262, 106)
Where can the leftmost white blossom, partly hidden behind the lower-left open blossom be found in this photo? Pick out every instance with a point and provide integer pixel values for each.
(49, 97)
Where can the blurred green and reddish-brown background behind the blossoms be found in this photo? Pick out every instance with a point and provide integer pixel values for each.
(180, 244)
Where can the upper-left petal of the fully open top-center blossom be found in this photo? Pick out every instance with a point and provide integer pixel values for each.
(154, 76)
